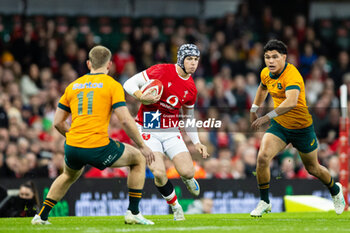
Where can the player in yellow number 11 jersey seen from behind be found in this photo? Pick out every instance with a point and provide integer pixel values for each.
(90, 100)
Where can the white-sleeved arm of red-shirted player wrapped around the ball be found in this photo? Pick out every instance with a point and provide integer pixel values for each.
(132, 87)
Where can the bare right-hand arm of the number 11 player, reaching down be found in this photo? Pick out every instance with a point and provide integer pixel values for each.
(129, 126)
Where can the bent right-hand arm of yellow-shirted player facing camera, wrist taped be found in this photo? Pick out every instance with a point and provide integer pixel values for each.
(288, 104)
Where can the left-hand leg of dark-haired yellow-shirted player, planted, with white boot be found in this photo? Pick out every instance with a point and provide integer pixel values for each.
(270, 146)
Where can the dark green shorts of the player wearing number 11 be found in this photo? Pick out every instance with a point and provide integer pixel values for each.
(100, 157)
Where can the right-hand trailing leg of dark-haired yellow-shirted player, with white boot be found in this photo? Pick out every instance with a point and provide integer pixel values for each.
(312, 165)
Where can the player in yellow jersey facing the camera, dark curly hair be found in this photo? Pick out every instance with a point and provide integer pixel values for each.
(290, 123)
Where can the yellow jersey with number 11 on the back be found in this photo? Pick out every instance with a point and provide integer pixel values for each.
(90, 99)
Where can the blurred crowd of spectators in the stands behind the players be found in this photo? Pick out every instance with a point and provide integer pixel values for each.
(40, 56)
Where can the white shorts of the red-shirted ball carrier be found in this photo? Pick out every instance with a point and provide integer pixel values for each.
(166, 141)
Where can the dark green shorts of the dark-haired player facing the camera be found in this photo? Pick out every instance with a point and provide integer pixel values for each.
(303, 139)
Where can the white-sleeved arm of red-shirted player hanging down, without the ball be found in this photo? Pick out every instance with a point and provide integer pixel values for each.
(192, 132)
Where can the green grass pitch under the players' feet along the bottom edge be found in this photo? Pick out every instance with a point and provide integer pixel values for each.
(218, 223)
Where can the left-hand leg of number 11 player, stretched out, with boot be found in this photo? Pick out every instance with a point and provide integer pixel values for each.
(57, 190)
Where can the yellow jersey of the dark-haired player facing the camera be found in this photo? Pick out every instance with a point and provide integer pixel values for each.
(290, 78)
